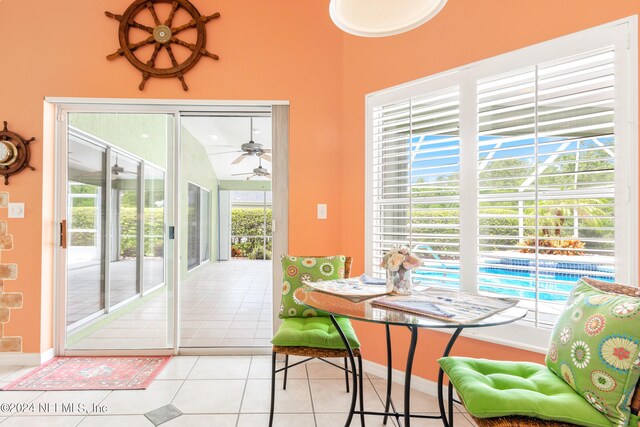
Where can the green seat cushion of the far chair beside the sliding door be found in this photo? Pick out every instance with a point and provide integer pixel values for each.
(316, 332)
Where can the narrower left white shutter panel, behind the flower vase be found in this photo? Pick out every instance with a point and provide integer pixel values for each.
(416, 187)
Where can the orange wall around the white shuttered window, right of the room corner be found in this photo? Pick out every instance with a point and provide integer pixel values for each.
(465, 31)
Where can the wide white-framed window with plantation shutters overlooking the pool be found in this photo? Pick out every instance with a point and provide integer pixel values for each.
(543, 139)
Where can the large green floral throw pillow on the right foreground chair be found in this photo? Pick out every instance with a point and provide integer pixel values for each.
(595, 348)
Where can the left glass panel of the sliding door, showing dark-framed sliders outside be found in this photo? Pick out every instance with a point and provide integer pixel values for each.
(119, 251)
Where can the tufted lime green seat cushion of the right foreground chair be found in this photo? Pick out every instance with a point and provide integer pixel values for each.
(492, 388)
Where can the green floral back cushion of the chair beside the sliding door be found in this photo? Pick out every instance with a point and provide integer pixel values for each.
(297, 269)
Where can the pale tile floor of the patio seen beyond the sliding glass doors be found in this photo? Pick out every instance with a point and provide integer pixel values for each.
(223, 304)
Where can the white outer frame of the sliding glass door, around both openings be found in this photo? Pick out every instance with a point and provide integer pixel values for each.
(178, 108)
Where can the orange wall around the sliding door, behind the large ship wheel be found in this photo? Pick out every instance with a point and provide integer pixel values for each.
(276, 49)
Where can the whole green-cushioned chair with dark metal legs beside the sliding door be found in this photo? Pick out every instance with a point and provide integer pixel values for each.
(305, 332)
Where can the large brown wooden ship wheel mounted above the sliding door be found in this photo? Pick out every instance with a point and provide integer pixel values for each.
(163, 35)
